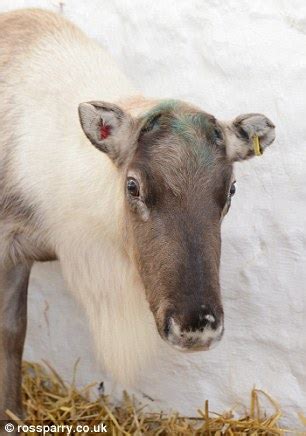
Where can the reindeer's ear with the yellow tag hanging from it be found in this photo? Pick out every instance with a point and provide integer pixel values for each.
(248, 135)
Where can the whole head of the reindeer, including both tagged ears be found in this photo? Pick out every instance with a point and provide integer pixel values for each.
(177, 162)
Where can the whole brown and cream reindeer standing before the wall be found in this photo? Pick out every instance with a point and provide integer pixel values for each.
(128, 194)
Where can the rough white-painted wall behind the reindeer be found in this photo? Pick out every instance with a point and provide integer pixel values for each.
(228, 57)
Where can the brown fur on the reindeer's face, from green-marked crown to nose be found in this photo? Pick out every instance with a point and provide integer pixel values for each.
(184, 178)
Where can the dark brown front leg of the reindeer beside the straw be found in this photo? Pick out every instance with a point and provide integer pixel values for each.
(13, 320)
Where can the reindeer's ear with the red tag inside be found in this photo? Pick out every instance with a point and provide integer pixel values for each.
(108, 128)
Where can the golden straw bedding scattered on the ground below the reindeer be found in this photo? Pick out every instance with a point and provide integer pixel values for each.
(48, 400)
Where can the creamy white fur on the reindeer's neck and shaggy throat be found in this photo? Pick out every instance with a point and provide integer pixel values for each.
(79, 192)
